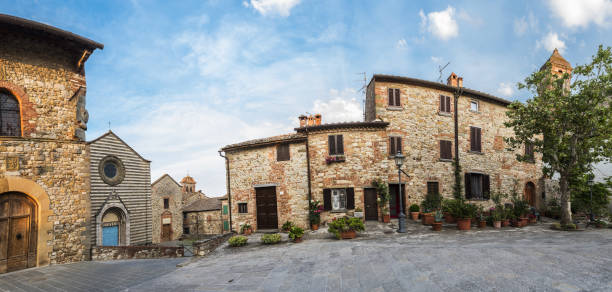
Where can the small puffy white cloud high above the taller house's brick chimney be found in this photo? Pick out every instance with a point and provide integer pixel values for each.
(441, 24)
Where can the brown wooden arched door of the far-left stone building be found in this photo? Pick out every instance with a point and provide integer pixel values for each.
(18, 232)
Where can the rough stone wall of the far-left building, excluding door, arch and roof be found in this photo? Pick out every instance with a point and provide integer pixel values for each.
(44, 78)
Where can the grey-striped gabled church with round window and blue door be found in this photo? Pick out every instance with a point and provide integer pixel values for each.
(120, 193)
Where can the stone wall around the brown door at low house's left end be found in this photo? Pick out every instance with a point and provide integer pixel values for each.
(255, 167)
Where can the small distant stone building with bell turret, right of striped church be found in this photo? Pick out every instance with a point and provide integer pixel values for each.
(168, 198)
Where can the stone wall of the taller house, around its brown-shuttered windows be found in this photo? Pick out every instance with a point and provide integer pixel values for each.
(422, 127)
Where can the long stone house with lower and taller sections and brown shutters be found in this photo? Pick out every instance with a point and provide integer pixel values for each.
(271, 180)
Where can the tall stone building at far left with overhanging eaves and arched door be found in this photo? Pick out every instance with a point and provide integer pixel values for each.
(44, 159)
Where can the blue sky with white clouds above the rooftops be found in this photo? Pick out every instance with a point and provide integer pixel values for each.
(180, 79)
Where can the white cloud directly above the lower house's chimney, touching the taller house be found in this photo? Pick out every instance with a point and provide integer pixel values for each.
(341, 106)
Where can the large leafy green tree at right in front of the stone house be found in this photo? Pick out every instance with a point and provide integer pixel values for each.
(568, 120)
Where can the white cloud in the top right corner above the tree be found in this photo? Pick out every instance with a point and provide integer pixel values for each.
(581, 13)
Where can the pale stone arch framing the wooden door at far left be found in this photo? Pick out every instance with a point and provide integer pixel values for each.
(44, 234)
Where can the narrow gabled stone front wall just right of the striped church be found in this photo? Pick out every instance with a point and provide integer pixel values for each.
(166, 187)
